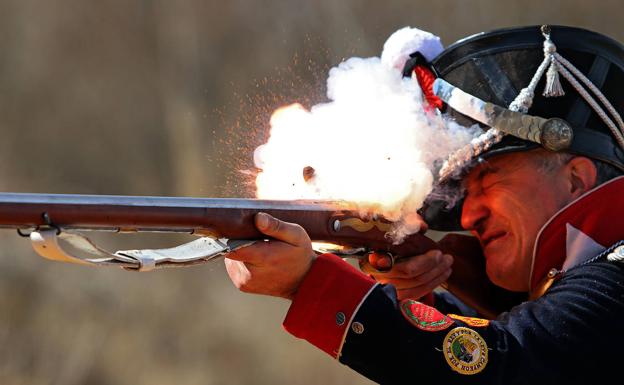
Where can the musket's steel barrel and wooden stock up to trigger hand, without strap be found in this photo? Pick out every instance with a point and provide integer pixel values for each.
(231, 218)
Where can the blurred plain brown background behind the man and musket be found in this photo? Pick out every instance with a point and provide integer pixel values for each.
(170, 98)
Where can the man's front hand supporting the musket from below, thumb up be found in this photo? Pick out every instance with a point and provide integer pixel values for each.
(275, 267)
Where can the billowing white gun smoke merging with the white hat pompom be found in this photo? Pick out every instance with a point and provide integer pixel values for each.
(375, 143)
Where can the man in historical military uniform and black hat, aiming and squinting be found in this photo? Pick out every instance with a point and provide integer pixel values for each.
(543, 195)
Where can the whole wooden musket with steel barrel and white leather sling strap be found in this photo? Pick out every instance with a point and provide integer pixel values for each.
(223, 224)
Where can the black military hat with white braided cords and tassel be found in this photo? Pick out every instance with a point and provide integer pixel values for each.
(511, 75)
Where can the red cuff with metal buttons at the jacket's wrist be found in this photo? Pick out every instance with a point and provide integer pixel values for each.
(326, 302)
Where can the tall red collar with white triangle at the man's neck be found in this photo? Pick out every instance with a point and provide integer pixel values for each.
(580, 230)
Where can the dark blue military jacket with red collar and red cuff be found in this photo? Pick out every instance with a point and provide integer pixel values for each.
(570, 334)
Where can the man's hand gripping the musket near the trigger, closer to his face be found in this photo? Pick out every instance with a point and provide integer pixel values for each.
(417, 276)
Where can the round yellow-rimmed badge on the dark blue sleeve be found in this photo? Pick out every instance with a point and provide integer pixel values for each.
(465, 351)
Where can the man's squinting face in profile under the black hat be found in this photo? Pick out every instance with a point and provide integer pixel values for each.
(508, 200)
